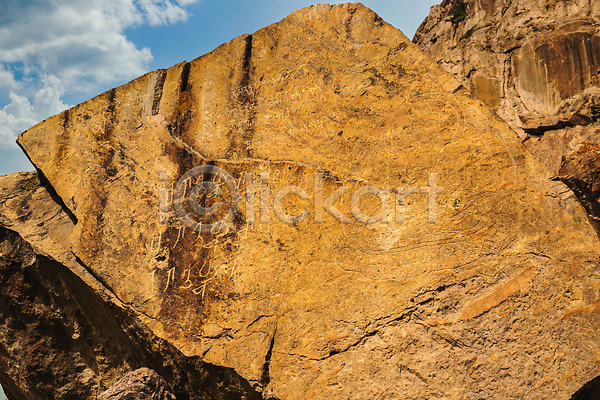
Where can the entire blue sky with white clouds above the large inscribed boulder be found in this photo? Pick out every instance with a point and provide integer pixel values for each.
(58, 53)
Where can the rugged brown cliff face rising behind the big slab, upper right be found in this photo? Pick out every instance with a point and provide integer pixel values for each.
(537, 63)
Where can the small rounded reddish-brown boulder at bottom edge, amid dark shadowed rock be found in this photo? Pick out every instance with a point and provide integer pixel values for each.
(141, 384)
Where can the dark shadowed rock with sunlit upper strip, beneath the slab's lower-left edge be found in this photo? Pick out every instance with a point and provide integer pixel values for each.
(63, 335)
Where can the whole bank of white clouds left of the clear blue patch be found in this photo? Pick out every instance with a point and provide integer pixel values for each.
(69, 46)
